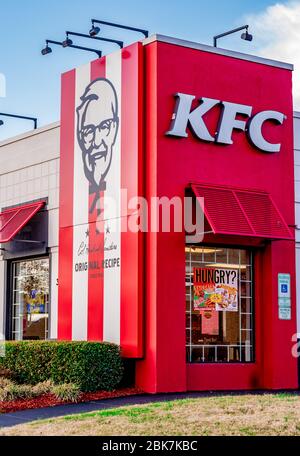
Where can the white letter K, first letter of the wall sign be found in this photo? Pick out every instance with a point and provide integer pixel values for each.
(183, 115)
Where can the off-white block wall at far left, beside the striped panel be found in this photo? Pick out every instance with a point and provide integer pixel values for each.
(29, 170)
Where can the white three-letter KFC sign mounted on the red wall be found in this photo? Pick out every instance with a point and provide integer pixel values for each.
(184, 117)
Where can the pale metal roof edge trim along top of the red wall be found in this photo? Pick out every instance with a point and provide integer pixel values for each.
(219, 51)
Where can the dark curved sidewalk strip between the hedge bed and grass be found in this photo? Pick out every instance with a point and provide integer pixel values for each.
(27, 416)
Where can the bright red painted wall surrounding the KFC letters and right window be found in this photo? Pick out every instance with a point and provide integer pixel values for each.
(170, 165)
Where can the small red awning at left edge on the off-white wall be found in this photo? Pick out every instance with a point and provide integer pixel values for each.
(13, 220)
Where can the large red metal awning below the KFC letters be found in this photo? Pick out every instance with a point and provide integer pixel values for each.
(242, 212)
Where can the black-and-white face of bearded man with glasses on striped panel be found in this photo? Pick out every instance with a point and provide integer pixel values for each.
(97, 129)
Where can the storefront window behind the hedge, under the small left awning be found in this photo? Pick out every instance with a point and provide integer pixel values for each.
(30, 299)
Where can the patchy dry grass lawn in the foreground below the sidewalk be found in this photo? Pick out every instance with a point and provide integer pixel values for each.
(244, 415)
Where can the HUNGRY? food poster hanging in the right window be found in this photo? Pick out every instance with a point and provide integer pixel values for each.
(216, 289)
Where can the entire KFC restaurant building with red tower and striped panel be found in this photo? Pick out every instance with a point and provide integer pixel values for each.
(162, 118)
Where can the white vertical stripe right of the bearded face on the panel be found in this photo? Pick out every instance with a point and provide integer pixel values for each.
(112, 212)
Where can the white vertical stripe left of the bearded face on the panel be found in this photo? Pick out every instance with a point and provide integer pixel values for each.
(80, 222)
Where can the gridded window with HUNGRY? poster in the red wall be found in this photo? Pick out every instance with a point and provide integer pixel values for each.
(219, 305)
